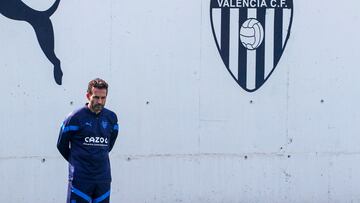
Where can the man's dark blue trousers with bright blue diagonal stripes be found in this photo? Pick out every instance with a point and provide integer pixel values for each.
(88, 192)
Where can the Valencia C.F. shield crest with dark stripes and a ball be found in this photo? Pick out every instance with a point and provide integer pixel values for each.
(251, 36)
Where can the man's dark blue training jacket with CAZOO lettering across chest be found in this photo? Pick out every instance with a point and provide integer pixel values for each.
(85, 141)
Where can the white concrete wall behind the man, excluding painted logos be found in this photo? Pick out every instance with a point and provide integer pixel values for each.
(199, 138)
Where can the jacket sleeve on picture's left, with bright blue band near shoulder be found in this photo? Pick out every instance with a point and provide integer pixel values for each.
(68, 127)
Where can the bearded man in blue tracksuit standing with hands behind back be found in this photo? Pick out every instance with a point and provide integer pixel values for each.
(85, 140)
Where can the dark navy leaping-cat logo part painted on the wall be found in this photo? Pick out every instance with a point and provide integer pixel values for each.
(41, 23)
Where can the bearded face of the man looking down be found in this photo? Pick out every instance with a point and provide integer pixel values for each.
(97, 99)
